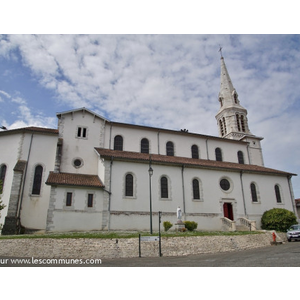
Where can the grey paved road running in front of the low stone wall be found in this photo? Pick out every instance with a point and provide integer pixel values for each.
(286, 255)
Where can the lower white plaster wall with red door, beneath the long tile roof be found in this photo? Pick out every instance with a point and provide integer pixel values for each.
(207, 211)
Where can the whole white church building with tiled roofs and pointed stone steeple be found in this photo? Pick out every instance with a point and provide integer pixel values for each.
(94, 174)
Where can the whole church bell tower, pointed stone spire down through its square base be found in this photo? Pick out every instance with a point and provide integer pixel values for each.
(232, 118)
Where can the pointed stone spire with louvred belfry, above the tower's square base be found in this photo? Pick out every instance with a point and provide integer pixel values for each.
(232, 117)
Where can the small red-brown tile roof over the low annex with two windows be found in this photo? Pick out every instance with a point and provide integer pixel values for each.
(74, 180)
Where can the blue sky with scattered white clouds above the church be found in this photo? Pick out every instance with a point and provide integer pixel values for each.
(169, 81)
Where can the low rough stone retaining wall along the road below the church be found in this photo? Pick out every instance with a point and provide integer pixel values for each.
(122, 248)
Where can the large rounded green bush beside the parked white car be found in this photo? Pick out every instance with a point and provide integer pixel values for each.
(278, 219)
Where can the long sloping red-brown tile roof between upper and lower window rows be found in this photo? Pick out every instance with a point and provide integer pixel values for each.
(175, 160)
